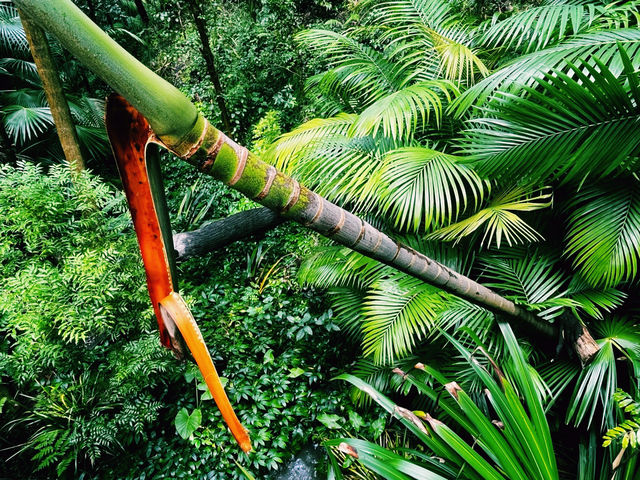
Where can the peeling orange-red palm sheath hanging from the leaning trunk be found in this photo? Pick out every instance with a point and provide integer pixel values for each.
(130, 134)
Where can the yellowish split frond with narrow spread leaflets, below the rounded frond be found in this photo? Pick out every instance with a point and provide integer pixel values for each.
(499, 219)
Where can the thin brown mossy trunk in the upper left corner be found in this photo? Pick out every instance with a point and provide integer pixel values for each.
(53, 90)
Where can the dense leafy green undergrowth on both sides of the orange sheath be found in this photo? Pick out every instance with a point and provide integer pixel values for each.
(84, 377)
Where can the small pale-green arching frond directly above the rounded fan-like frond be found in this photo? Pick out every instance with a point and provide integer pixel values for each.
(401, 113)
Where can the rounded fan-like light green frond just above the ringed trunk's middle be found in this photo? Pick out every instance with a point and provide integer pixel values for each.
(423, 188)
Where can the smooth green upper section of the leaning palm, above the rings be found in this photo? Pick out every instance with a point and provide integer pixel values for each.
(169, 111)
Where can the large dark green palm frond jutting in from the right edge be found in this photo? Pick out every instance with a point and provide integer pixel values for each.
(573, 127)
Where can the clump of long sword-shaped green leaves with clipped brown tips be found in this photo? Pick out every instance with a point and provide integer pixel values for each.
(511, 439)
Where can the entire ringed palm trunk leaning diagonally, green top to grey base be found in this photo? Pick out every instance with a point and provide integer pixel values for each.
(189, 135)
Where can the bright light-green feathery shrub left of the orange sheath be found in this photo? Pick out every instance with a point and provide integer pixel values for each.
(83, 377)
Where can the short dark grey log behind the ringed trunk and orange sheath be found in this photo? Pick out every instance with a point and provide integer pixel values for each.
(223, 232)
